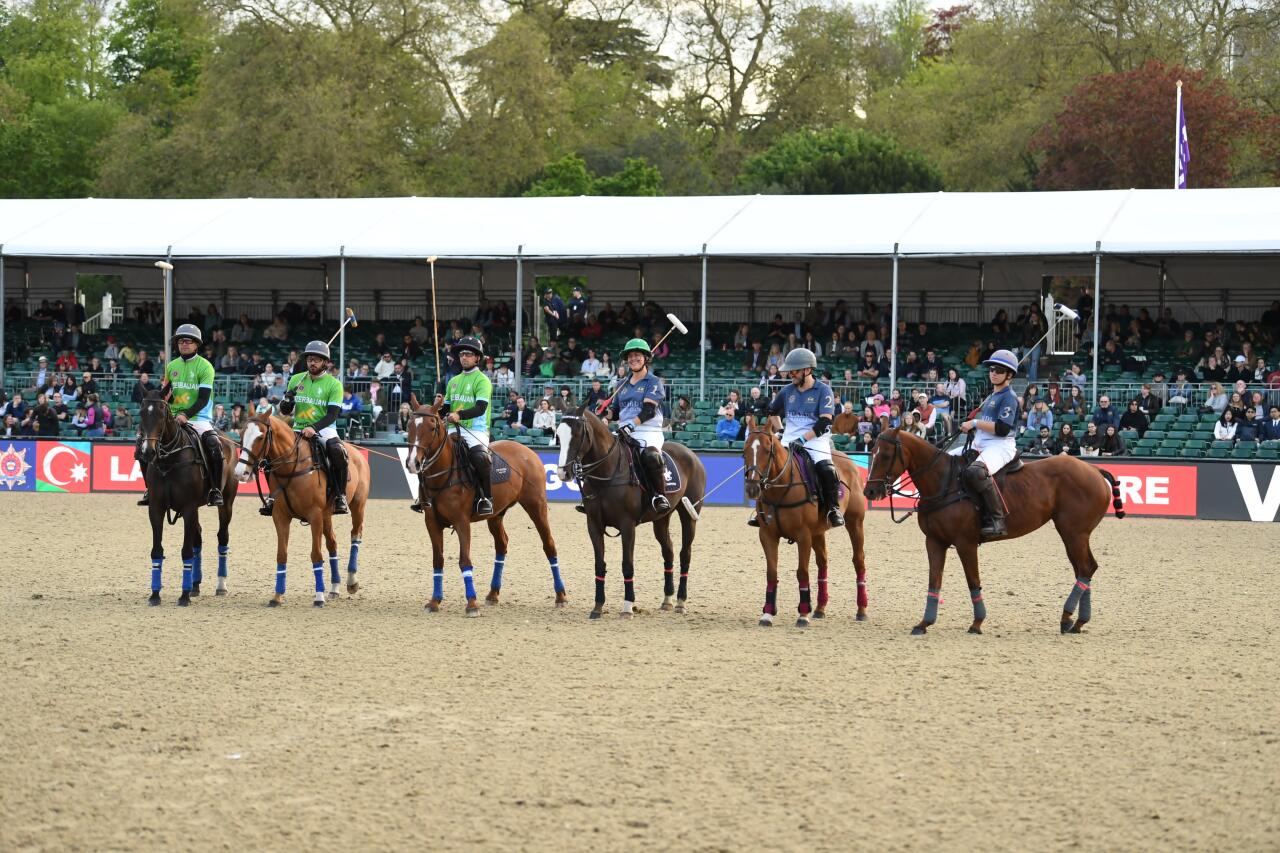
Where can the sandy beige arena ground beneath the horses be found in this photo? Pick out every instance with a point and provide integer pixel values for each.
(372, 726)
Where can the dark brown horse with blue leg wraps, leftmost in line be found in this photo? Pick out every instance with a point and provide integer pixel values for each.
(176, 478)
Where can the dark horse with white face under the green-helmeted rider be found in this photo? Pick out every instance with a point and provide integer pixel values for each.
(612, 499)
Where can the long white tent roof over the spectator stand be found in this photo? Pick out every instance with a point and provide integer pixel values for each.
(1159, 222)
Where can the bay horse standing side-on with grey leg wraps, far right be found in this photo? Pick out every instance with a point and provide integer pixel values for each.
(1063, 490)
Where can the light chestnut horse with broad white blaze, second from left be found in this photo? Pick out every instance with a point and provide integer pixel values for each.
(296, 481)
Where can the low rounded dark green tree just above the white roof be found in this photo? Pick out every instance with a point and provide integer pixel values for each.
(839, 162)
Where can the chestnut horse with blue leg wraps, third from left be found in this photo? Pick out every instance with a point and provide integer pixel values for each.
(450, 501)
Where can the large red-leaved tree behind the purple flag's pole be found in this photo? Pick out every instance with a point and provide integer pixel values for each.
(1117, 131)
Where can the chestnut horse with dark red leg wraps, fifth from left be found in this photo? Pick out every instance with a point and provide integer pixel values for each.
(774, 481)
